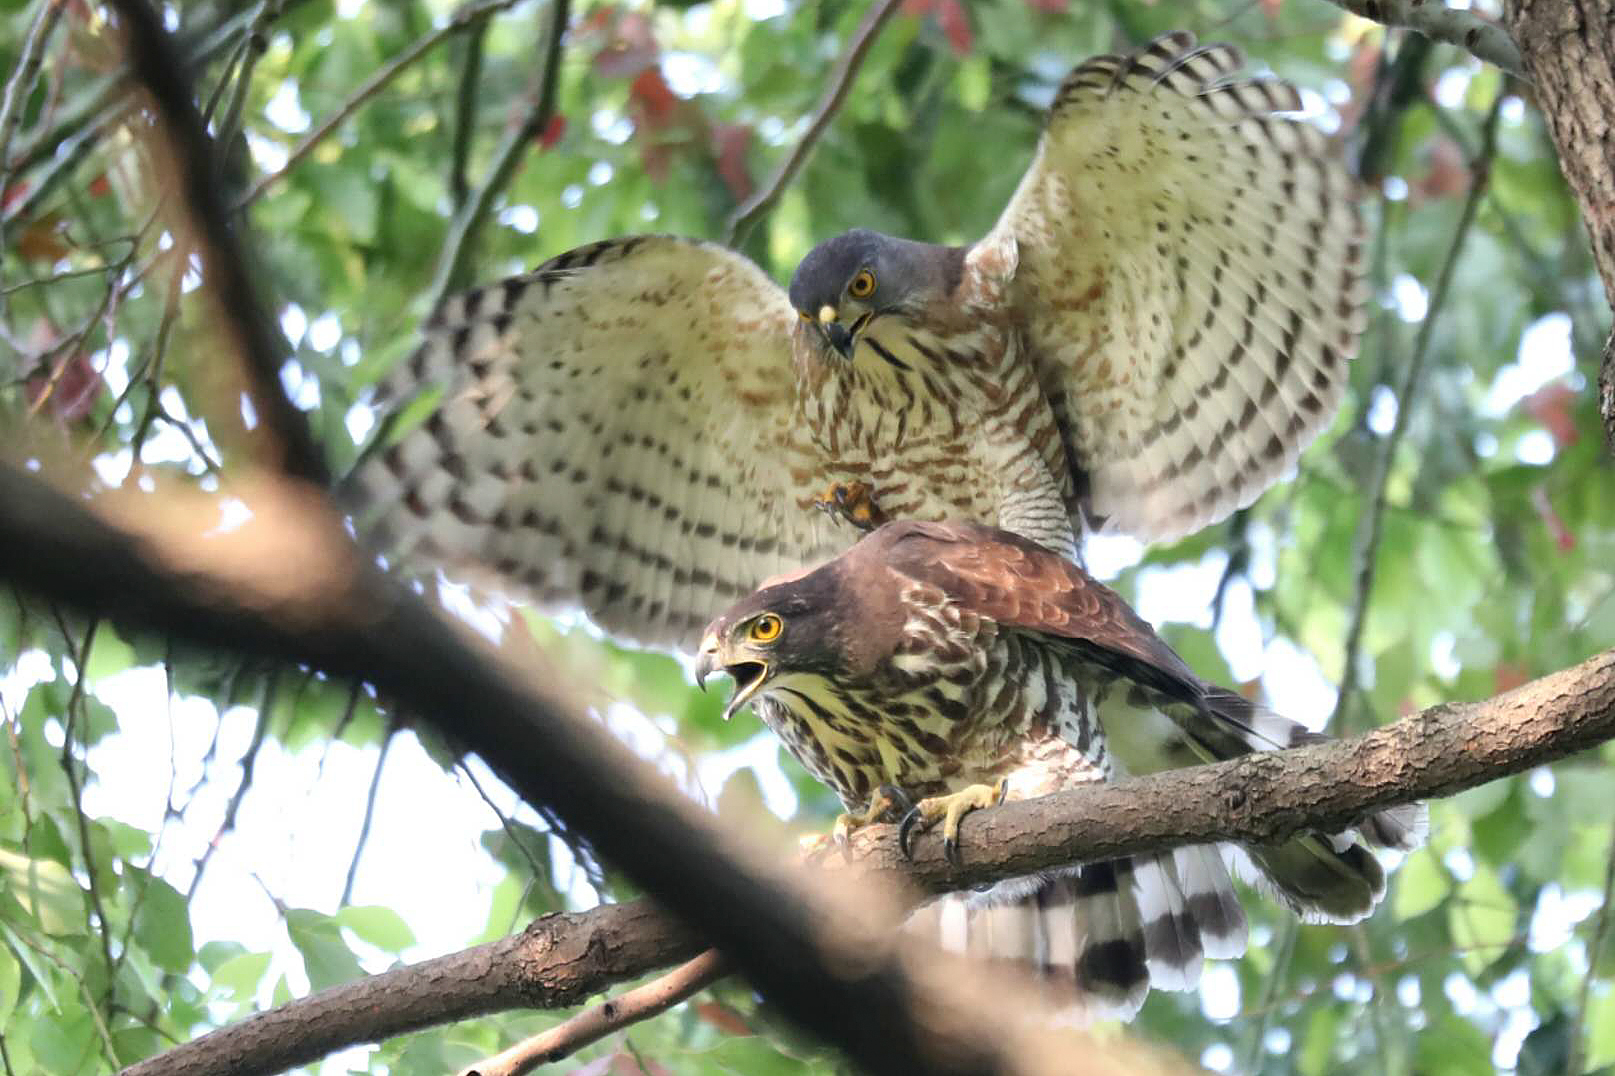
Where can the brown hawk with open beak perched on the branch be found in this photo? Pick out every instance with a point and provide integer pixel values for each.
(957, 665)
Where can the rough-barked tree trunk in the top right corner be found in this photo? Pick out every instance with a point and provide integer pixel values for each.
(1569, 49)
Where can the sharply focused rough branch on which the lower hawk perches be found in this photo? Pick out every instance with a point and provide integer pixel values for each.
(1261, 797)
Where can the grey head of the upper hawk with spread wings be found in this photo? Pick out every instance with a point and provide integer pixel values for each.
(845, 284)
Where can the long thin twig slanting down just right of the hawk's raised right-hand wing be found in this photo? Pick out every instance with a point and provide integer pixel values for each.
(1370, 529)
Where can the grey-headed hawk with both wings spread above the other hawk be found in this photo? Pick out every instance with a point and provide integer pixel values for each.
(1147, 338)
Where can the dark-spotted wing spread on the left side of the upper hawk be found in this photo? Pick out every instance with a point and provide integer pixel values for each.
(616, 429)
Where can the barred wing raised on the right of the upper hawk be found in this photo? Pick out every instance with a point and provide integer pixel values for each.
(1189, 277)
